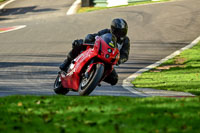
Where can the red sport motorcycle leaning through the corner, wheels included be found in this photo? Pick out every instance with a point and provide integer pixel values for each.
(88, 69)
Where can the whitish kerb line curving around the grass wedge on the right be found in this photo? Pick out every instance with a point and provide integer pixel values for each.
(127, 82)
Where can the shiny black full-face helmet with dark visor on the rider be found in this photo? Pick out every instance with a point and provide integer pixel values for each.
(119, 28)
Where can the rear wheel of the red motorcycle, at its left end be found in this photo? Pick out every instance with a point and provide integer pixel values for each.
(58, 88)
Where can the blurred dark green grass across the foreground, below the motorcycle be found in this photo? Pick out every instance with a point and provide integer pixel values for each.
(74, 114)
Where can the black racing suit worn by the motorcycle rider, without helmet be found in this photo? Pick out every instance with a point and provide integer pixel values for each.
(123, 46)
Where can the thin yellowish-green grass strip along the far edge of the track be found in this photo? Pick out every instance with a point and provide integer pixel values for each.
(90, 9)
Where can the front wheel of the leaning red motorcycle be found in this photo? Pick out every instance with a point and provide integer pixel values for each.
(89, 83)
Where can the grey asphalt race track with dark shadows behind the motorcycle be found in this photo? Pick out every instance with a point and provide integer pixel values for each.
(29, 57)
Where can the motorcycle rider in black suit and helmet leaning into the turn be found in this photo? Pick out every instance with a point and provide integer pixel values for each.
(119, 28)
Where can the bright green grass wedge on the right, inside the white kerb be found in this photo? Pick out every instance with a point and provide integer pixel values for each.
(181, 73)
